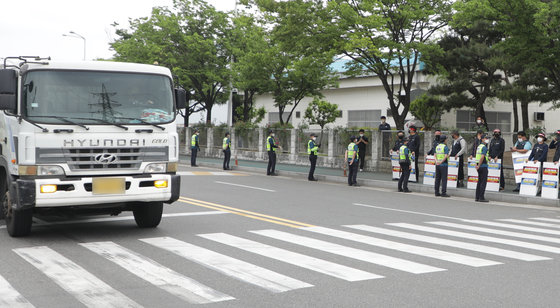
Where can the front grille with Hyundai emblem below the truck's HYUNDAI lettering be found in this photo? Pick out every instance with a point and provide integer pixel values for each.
(84, 159)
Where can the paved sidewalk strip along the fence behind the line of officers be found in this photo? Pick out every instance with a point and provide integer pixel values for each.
(365, 178)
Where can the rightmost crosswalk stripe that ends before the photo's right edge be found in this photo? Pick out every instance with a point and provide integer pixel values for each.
(451, 243)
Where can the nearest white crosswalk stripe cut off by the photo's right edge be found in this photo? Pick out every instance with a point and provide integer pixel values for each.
(479, 237)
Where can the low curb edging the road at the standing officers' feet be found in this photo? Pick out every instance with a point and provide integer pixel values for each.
(458, 192)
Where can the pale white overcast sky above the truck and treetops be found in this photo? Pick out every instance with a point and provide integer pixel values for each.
(36, 28)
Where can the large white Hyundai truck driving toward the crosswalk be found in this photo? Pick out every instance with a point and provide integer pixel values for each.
(91, 136)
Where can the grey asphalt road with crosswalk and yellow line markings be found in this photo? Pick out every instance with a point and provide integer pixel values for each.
(249, 240)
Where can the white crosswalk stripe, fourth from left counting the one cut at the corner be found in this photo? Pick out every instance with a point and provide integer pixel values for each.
(229, 266)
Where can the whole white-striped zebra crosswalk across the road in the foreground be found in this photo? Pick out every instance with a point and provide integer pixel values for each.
(431, 247)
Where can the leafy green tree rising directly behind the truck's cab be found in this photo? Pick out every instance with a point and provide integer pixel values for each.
(190, 39)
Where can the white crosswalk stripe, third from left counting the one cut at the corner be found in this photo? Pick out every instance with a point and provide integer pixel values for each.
(165, 278)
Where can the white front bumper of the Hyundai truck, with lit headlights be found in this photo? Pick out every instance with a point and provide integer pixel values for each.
(76, 192)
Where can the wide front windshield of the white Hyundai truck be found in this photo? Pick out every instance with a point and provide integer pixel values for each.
(87, 97)
